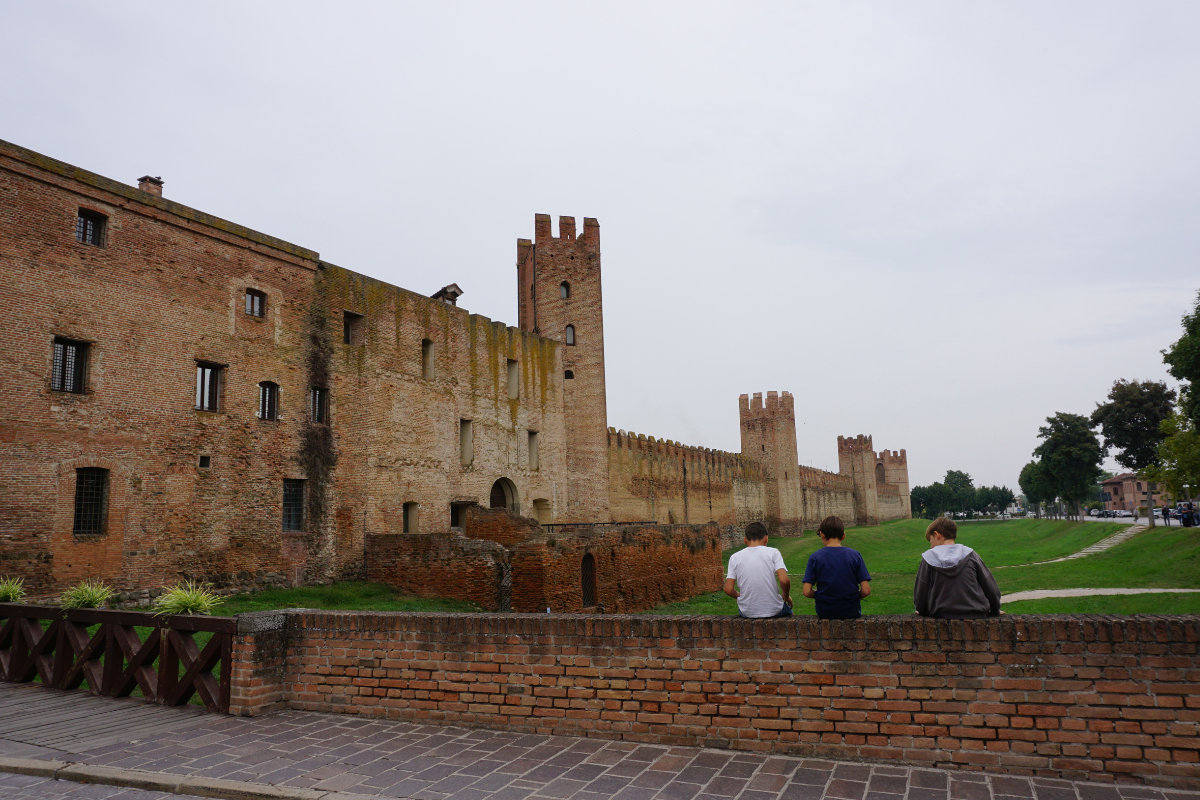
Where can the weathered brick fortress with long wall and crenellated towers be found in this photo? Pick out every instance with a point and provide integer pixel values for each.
(394, 411)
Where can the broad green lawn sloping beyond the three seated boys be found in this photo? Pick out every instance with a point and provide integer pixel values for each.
(893, 554)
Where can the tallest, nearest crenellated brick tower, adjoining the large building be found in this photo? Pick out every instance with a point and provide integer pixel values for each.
(559, 282)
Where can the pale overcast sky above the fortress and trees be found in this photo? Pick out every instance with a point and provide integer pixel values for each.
(932, 222)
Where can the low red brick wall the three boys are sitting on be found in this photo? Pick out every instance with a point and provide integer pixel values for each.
(1076, 697)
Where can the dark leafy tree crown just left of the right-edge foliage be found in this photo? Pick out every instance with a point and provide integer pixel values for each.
(1132, 419)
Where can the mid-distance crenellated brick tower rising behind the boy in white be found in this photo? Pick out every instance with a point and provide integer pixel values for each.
(769, 436)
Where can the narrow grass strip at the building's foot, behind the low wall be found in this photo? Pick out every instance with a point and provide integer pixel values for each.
(340, 597)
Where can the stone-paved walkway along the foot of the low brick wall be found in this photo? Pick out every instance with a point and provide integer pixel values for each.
(333, 757)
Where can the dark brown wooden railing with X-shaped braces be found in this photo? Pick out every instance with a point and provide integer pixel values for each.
(169, 667)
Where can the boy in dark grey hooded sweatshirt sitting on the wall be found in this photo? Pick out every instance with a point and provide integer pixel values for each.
(953, 582)
